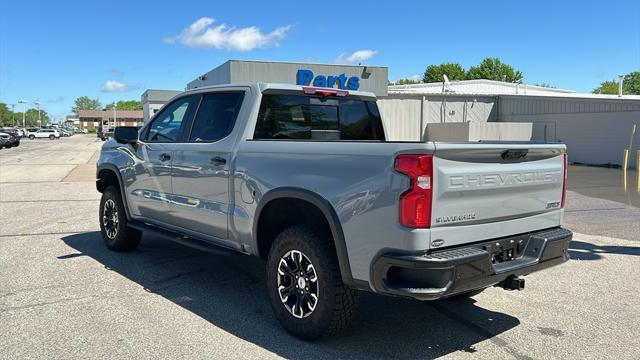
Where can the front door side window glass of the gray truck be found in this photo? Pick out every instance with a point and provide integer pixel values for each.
(167, 126)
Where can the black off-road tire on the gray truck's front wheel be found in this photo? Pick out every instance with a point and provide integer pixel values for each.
(125, 238)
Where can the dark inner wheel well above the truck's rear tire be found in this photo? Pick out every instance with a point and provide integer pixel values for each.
(282, 213)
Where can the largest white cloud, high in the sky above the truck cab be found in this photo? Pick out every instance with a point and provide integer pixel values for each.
(202, 34)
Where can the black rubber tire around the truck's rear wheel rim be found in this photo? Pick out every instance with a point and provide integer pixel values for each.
(336, 303)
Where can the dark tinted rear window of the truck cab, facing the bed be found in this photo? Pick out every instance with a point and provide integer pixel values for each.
(305, 117)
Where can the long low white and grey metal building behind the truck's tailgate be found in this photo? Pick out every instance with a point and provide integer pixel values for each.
(596, 128)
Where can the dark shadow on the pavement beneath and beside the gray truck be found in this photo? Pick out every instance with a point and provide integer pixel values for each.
(229, 292)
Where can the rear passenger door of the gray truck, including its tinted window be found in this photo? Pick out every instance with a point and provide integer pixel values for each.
(201, 167)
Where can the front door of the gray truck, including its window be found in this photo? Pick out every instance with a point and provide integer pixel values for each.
(149, 192)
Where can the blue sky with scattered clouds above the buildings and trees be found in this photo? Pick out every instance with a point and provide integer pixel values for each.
(113, 50)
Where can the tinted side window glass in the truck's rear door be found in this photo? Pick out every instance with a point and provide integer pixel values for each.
(216, 116)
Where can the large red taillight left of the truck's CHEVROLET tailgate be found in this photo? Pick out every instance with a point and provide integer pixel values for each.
(415, 203)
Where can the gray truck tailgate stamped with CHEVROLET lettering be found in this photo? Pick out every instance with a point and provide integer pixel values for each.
(481, 190)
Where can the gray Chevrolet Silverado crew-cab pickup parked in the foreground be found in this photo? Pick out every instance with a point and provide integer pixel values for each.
(304, 178)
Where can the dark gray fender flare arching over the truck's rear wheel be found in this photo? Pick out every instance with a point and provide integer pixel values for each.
(330, 215)
